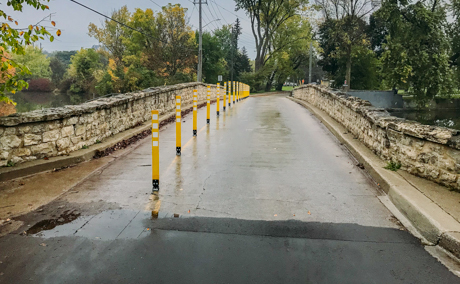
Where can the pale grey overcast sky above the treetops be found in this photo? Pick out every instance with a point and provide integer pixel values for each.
(73, 20)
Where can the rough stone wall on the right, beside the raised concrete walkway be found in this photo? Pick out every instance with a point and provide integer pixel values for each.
(427, 151)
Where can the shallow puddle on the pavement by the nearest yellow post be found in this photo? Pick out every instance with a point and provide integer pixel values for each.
(107, 225)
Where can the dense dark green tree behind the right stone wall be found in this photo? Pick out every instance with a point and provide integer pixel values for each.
(417, 52)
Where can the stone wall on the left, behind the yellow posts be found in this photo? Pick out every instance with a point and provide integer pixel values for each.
(59, 131)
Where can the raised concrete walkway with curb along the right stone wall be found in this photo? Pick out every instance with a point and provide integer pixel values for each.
(430, 211)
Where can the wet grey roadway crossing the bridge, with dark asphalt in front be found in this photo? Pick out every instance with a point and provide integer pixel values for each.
(265, 194)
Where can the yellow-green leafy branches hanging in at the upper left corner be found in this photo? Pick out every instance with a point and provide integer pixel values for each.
(13, 39)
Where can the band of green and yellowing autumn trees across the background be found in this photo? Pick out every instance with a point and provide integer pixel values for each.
(412, 47)
